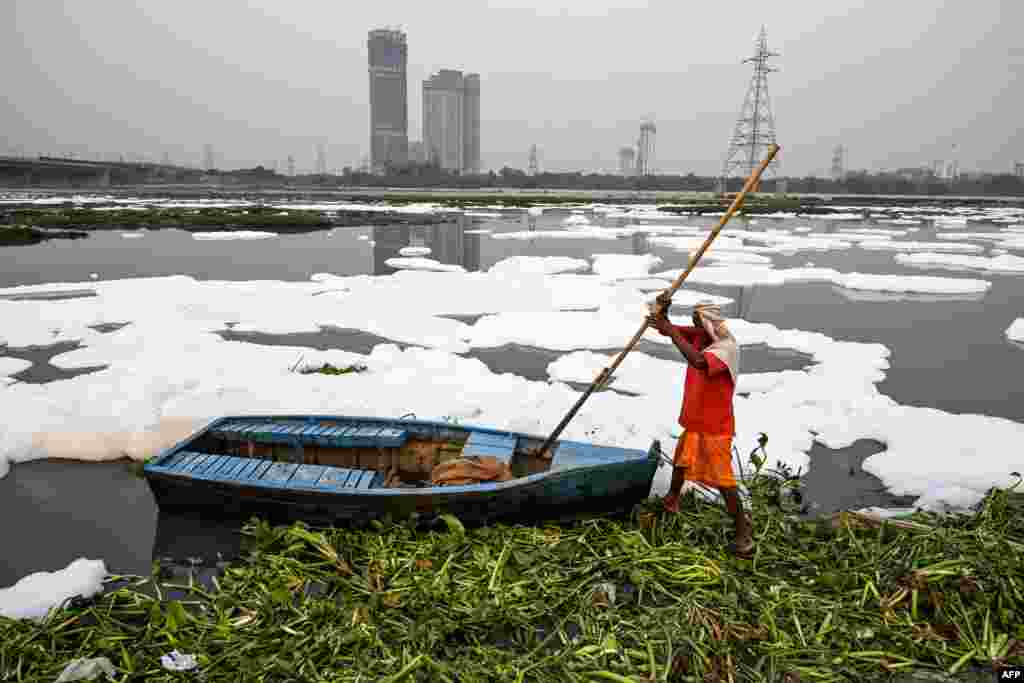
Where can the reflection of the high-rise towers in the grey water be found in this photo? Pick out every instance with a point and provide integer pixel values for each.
(448, 243)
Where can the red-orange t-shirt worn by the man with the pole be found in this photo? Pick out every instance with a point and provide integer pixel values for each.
(708, 394)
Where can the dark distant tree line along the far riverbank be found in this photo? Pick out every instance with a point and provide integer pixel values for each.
(432, 176)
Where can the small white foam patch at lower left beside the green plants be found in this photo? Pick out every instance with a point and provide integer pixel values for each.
(34, 596)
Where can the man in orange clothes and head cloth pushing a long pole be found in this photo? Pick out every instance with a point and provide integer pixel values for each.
(705, 451)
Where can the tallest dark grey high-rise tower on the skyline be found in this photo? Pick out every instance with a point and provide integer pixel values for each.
(389, 55)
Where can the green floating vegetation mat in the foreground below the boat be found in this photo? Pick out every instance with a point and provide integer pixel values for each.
(655, 597)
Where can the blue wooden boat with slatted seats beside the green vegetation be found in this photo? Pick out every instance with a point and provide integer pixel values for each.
(327, 469)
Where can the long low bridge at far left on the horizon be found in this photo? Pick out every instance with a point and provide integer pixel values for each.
(27, 172)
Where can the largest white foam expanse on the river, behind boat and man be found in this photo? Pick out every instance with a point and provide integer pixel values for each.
(175, 322)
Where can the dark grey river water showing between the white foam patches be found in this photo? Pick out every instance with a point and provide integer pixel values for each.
(949, 354)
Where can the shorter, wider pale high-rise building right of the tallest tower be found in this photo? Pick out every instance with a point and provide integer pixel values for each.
(452, 120)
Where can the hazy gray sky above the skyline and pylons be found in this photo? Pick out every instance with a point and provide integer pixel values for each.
(899, 82)
